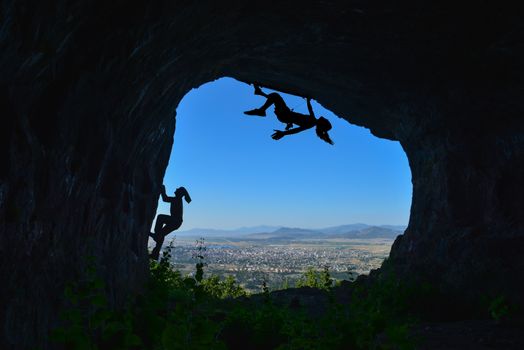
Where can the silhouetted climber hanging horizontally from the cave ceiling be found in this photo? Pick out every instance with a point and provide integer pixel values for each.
(289, 117)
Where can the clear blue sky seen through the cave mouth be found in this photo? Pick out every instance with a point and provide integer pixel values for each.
(238, 176)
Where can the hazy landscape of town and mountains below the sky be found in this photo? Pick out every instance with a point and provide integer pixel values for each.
(281, 257)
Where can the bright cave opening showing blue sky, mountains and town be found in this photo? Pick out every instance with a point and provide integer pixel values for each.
(257, 199)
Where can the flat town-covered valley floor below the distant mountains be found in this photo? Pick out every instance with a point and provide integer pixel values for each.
(281, 263)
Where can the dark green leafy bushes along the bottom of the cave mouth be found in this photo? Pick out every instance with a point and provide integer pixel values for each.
(194, 312)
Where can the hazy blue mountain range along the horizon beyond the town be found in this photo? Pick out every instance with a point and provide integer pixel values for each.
(353, 231)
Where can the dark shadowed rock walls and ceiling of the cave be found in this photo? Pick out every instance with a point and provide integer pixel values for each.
(88, 95)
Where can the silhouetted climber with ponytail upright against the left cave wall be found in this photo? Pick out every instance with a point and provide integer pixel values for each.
(165, 224)
